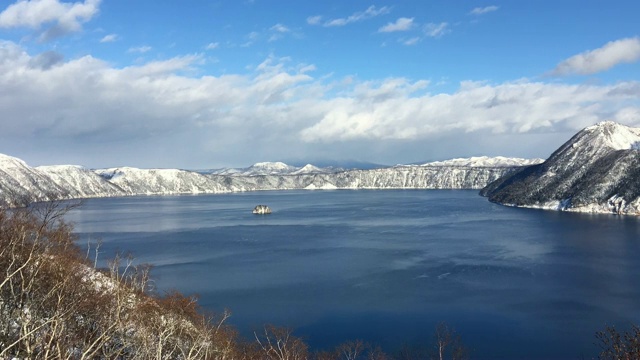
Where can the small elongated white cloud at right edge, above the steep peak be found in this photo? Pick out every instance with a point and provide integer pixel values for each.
(601, 59)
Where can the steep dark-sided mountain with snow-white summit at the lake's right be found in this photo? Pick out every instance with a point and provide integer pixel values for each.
(597, 170)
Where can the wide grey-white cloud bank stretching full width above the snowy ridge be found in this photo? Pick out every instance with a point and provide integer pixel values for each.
(86, 103)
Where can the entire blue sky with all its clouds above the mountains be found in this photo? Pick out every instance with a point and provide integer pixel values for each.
(207, 84)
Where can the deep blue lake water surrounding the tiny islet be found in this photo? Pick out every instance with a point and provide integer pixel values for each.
(387, 265)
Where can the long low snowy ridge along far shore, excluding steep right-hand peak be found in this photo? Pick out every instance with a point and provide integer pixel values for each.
(20, 183)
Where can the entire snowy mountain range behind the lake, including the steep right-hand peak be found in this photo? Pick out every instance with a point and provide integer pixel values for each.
(597, 170)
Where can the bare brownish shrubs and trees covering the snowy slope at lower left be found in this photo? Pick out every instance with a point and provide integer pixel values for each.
(55, 305)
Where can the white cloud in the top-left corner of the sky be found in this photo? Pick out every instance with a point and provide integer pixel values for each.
(58, 18)
